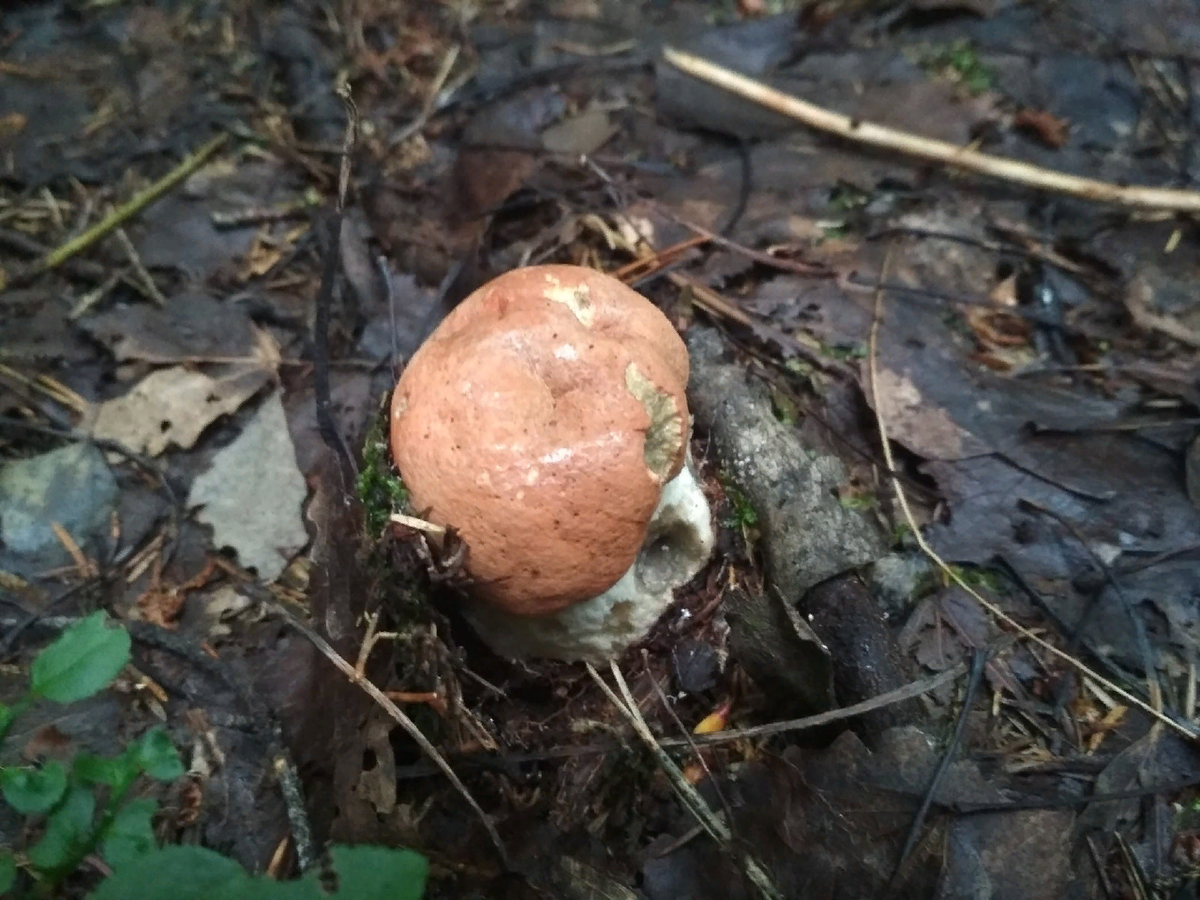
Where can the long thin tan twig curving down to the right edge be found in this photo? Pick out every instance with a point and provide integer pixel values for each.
(903, 500)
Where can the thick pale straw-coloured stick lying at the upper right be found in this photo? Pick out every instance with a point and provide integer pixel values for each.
(1160, 199)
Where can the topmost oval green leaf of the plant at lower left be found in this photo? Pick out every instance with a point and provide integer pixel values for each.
(82, 662)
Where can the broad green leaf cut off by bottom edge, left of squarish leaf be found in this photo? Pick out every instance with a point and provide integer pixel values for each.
(177, 874)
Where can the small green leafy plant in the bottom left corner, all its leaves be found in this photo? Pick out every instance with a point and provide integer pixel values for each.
(83, 807)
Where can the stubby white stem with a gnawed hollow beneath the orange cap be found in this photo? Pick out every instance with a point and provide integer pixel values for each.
(677, 547)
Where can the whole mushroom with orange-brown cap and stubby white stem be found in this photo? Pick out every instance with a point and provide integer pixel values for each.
(545, 421)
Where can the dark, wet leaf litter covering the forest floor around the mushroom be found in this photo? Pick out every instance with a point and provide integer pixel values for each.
(1036, 363)
